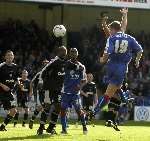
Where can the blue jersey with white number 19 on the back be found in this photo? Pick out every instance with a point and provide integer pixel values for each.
(120, 48)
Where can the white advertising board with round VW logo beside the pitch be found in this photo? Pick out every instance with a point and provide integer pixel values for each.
(142, 113)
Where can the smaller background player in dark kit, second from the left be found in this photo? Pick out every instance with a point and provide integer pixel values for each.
(23, 96)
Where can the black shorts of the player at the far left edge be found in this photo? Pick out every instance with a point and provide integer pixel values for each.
(6, 99)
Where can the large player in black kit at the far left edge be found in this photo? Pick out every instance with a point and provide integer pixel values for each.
(8, 77)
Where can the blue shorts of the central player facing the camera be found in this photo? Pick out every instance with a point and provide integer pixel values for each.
(69, 100)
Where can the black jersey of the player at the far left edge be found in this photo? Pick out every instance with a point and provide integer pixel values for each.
(8, 75)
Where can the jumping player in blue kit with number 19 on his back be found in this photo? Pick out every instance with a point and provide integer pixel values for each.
(118, 54)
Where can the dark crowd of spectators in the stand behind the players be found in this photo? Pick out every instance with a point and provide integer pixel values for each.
(32, 44)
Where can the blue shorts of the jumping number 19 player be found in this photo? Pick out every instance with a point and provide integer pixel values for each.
(116, 73)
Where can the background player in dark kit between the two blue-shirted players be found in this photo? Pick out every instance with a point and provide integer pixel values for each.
(89, 96)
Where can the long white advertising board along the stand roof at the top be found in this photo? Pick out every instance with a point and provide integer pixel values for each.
(143, 4)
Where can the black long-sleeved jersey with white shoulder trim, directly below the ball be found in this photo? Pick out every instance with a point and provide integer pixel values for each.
(53, 74)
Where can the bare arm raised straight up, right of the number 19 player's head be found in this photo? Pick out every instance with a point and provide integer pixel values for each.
(124, 21)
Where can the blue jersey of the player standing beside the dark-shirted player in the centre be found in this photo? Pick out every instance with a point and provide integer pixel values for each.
(73, 79)
